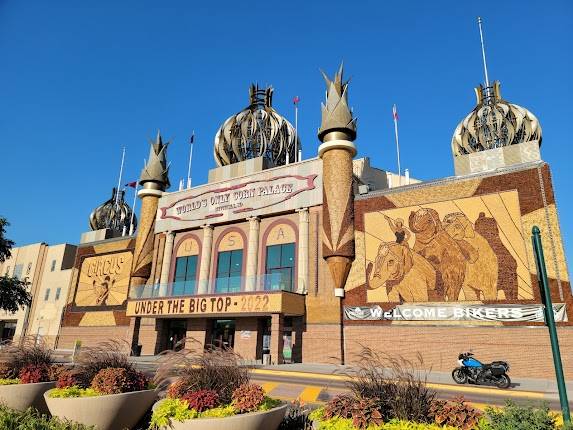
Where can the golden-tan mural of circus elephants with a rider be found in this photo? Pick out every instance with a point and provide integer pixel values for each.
(469, 249)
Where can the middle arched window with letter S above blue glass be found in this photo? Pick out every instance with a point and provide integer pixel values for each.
(229, 262)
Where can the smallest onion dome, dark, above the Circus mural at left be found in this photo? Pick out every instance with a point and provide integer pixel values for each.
(114, 214)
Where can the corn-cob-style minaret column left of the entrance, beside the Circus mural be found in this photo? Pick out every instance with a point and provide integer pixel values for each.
(153, 181)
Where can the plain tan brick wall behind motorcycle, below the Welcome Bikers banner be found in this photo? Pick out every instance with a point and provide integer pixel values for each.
(526, 349)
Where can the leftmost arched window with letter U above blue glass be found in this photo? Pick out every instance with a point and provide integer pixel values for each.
(186, 261)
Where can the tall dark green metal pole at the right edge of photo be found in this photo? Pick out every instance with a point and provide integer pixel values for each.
(550, 321)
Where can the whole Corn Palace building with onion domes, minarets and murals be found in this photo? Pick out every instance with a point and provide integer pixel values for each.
(291, 260)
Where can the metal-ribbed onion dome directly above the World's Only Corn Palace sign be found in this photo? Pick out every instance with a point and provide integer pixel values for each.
(256, 131)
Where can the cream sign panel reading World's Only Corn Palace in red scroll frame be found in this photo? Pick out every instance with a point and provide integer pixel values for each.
(270, 191)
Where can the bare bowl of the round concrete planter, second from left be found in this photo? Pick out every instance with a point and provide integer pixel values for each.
(110, 412)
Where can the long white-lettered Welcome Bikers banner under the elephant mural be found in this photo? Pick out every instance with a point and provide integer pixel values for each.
(455, 312)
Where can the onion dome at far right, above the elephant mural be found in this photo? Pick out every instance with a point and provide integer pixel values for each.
(494, 123)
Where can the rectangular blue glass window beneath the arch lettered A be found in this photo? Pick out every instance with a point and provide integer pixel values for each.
(280, 267)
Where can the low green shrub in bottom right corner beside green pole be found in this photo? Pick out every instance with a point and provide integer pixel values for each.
(515, 417)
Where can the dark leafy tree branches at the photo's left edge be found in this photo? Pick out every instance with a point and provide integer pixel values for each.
(14, 292)
